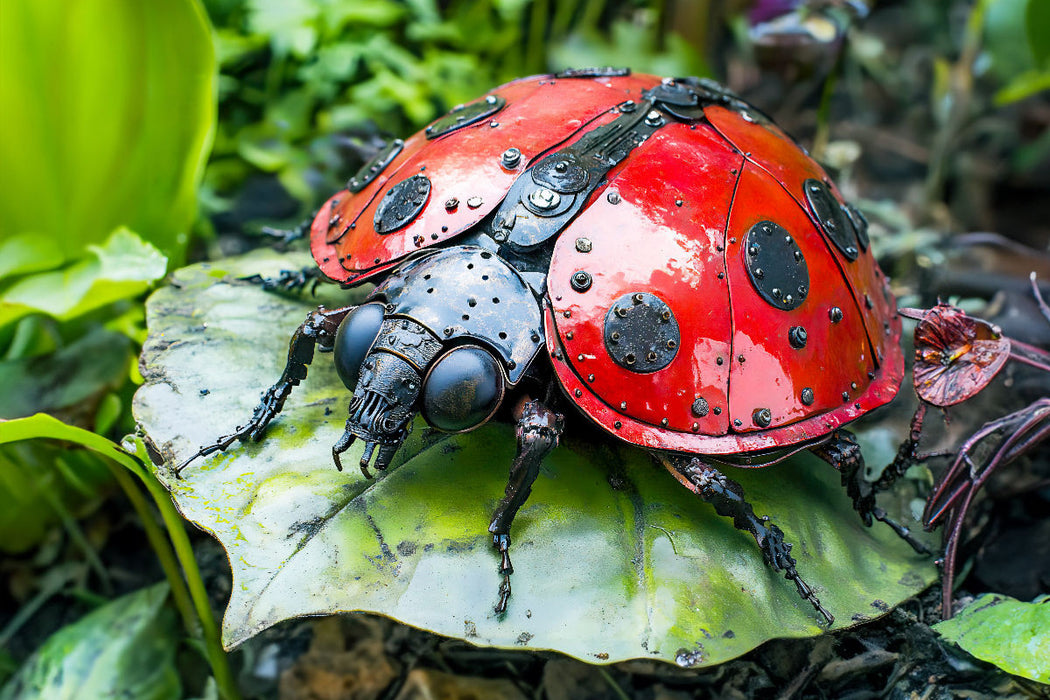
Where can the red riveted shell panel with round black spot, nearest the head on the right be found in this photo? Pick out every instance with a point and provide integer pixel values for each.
(664, 236)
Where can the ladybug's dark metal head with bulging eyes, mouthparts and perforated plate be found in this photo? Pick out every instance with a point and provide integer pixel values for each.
(443, 354)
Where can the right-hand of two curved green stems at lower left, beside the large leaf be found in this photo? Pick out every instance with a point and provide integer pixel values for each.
(209, 629)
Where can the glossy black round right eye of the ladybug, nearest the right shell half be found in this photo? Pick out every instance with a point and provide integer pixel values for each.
(463, 390)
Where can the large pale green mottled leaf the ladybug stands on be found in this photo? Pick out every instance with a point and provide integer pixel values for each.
(614, 559)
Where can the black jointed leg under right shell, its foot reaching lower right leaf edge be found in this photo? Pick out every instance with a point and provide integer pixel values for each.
(727, 498)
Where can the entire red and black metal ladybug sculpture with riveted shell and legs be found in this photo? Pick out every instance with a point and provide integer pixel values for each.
(657, 250)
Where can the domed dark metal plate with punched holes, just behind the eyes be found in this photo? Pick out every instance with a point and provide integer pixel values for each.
(467, 292)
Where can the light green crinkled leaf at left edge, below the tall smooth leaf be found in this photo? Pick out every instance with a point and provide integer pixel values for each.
(122, 268)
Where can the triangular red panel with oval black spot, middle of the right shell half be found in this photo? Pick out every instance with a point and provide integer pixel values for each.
(768, 370)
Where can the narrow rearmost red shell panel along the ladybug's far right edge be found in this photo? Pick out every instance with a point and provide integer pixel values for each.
(769, 149)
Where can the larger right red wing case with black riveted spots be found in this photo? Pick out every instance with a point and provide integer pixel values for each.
(734, 349)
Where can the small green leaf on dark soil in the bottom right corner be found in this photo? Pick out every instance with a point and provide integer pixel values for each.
(1012, 634)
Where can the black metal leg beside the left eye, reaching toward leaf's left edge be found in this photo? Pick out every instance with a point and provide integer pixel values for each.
(320, 329)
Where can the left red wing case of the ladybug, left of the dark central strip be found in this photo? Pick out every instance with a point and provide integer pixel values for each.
(467, 171)
